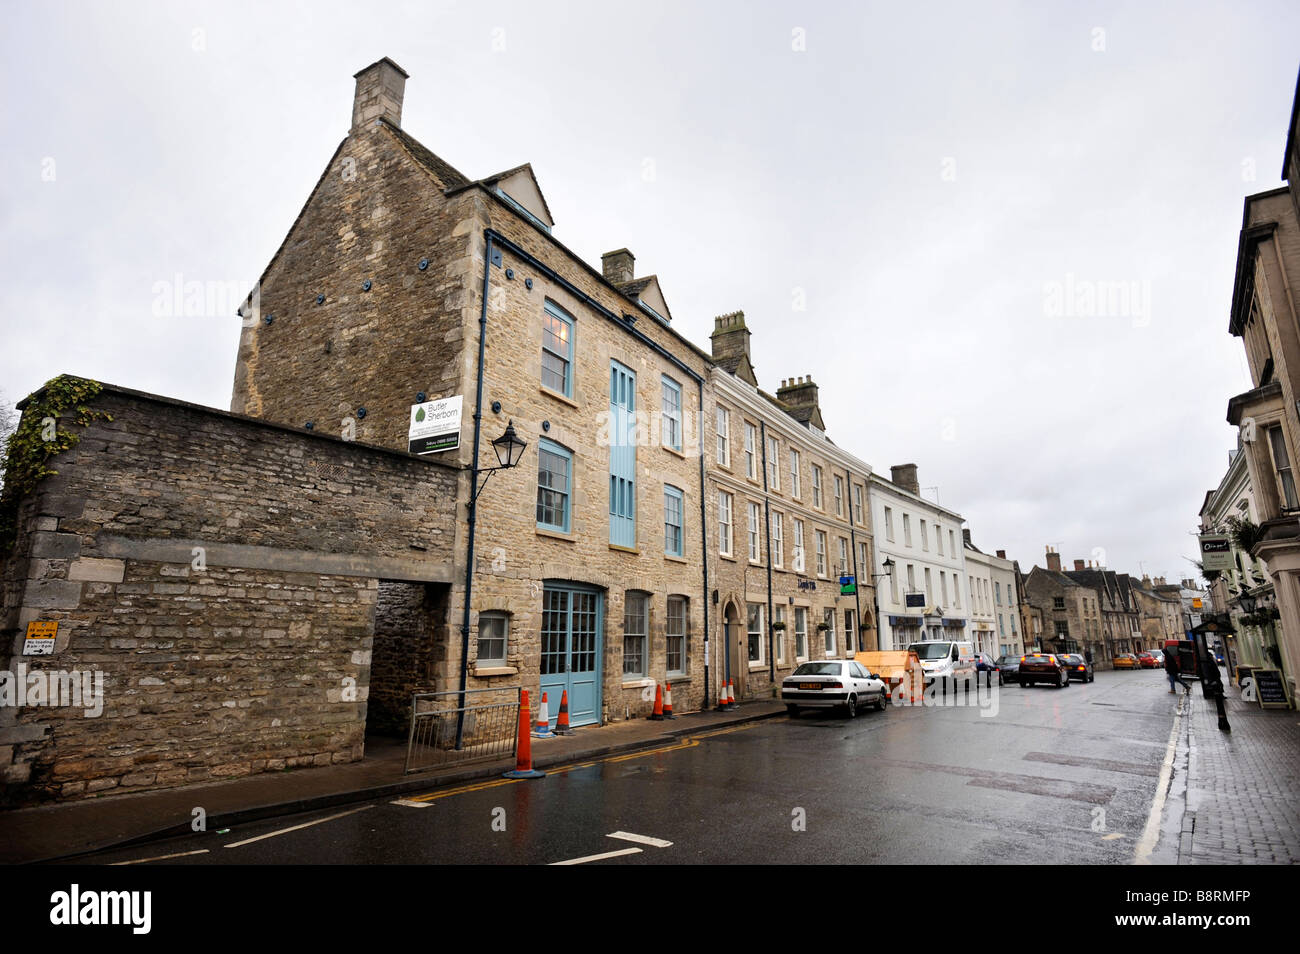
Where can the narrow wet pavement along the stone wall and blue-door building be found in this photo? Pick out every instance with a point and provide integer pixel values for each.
(63, 831)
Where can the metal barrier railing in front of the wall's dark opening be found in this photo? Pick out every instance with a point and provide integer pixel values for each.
(488, 727)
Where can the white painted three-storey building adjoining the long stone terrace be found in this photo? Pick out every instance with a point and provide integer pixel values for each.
(925, 544)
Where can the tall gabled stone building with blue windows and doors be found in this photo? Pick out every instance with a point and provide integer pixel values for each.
(405, 281)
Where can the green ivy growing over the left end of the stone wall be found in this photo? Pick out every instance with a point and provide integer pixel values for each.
(45, 431)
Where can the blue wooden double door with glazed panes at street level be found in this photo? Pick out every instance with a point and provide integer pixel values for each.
(571, 652)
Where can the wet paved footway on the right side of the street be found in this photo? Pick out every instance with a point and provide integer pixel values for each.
(1243, 787)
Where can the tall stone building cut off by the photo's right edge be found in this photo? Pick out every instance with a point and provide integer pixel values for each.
(1264, 315)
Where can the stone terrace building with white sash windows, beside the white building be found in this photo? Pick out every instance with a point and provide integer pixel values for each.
(792, 521)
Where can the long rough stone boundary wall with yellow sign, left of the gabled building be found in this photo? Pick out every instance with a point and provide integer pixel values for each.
(218, 576)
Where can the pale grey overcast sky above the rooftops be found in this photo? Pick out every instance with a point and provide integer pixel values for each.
(911, 202)
